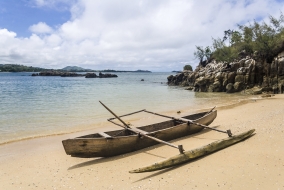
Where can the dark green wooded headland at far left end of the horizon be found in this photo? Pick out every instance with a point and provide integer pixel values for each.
(19, 68)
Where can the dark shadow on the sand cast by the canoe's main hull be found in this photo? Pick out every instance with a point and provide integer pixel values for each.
(115, 158)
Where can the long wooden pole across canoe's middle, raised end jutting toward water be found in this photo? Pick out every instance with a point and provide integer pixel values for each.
(150, 137)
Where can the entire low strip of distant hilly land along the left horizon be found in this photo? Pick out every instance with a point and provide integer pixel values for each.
(23, 68)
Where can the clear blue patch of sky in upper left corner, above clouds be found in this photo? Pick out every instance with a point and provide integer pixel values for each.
(19, 15)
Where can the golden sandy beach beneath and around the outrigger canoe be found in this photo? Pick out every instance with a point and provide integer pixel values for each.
(256, 163)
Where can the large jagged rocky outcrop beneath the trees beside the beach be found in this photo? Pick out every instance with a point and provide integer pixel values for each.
(246, 73)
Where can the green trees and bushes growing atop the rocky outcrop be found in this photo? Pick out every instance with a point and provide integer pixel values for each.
(260, 40)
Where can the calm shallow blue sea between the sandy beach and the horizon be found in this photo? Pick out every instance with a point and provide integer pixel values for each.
(40, 106)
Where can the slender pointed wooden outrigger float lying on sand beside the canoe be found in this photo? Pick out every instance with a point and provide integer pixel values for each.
(193, 154)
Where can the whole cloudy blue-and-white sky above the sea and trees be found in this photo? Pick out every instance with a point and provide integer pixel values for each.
(155, 35)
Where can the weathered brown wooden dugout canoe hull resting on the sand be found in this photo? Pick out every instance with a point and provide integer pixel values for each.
(112, 143)
